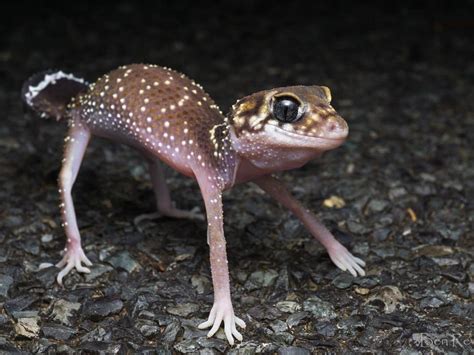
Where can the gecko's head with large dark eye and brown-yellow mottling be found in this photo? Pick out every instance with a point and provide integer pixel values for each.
(288, 119)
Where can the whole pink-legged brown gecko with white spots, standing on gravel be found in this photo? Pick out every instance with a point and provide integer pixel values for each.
(170, 119)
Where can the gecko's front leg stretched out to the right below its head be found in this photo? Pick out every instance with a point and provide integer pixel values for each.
(338, 253)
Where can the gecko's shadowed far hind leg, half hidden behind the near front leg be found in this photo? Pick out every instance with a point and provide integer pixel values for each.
(164, 203)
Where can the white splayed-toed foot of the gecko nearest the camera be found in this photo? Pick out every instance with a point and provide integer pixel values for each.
(223, 311)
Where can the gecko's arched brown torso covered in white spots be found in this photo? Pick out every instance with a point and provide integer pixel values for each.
(162, 113)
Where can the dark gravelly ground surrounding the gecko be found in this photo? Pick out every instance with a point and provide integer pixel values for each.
(402, 77)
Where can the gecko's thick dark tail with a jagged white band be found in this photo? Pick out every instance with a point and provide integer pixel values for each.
(49, 92)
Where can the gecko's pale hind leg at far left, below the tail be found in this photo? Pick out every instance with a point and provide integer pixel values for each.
(76, 144)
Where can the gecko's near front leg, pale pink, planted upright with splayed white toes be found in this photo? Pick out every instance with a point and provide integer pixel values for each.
(222, 309)
